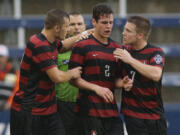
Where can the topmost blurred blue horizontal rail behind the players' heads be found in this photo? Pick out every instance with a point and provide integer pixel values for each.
(37, 22)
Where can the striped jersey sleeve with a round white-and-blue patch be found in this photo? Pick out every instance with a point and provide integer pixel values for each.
(158, 58)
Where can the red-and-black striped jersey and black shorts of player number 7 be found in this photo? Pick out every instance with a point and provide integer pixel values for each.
(143, 105)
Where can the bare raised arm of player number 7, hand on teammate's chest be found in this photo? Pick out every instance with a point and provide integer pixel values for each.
(152, 72)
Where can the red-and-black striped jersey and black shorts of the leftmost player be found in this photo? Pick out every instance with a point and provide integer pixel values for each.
(34, 108)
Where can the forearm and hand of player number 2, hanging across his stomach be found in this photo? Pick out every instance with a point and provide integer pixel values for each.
(103, 92)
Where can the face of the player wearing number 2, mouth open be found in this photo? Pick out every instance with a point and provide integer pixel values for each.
(103, 27)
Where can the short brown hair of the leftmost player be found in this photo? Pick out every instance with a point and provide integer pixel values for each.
(55, 17)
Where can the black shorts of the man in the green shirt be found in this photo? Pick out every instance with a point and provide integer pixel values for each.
(67, 114)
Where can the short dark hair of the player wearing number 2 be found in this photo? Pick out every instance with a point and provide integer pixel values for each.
(101, 9)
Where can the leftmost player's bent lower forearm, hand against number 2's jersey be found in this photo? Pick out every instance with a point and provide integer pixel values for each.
(59, 76)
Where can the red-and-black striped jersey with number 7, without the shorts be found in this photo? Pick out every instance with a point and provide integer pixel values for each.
(144, 101)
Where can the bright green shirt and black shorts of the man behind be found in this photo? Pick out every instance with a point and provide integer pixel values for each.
(66, 95)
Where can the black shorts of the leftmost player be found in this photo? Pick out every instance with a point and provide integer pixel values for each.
(23, 123)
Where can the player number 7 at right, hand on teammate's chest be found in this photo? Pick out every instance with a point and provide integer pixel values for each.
(142, 106)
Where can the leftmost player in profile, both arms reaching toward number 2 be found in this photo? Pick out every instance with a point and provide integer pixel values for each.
(34, 108)
